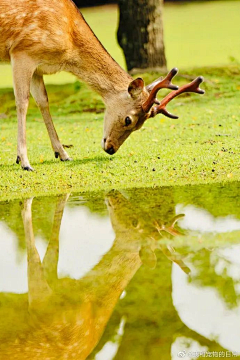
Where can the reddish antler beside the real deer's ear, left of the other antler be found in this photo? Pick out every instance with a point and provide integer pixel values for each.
(165, 83)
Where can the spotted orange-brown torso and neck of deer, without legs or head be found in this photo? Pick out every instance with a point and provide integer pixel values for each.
(56, 37)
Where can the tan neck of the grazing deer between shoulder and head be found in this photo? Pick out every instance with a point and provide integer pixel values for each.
(94, 65)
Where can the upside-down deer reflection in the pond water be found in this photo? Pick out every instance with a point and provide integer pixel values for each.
(65, 318)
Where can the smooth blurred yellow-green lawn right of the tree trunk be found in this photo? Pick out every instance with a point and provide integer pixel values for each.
(202, 34)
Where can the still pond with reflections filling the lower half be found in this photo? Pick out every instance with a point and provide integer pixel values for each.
(133, 274)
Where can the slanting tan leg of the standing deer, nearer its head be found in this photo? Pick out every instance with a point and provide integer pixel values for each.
(39, 93)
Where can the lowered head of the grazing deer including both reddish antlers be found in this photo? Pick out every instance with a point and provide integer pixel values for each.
(138, 104)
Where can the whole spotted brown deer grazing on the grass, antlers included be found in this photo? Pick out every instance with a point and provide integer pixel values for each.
(48, 36)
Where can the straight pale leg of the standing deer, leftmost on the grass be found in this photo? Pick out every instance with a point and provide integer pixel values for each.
(23, 67)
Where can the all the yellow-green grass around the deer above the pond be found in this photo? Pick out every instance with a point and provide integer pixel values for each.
(201, 147)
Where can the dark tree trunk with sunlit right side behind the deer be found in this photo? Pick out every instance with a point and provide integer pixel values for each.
(140, 34)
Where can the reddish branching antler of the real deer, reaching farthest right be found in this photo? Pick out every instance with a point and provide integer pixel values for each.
(191, 87)
